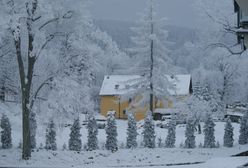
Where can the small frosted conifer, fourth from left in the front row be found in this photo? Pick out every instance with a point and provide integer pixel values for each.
(75, 142)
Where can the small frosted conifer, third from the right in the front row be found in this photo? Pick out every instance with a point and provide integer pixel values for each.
(209, 138)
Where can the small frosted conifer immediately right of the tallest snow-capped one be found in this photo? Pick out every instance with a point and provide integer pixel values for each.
(131, 132)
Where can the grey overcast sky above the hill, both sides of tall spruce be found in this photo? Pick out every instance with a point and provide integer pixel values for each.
(178, 12)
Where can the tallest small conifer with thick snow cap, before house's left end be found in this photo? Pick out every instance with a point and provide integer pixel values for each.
(111, 132)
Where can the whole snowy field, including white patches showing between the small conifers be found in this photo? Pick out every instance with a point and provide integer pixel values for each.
(158, 157)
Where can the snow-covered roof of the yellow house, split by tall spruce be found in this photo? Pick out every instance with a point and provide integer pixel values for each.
(115, 84)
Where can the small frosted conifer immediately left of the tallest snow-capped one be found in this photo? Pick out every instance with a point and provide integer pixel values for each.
(92, 143)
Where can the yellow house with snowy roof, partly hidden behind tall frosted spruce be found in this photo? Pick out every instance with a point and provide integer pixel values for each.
(115, 86)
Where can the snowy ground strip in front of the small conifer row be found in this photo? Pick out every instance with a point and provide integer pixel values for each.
(127, 158)
